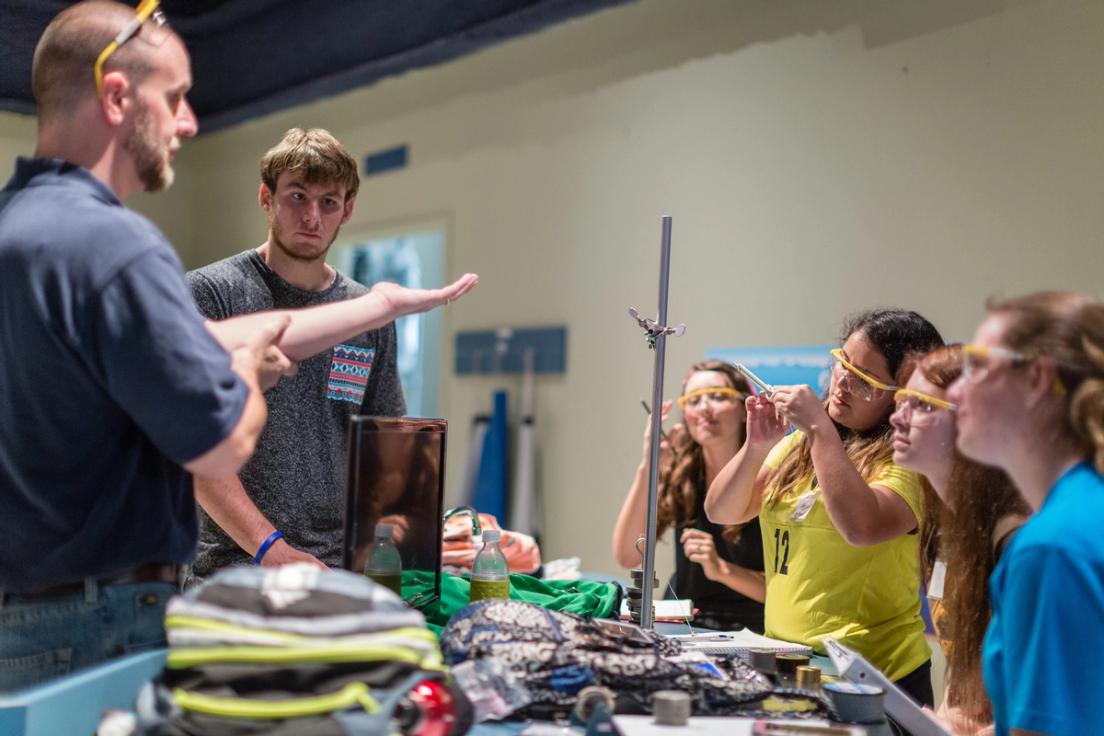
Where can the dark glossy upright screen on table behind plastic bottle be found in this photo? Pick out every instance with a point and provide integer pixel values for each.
(397, 476)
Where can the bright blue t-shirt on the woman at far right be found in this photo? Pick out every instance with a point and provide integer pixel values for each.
(1048, 615)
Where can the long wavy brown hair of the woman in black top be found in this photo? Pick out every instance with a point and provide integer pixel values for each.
(684, 481)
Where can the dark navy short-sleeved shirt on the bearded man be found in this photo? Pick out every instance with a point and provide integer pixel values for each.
(109, 383)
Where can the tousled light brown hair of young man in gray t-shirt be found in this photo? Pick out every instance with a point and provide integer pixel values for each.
(316, 155)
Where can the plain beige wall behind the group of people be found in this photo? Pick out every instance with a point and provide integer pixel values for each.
(818, 158)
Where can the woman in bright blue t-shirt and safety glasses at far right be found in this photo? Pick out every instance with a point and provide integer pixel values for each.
(1032, 402)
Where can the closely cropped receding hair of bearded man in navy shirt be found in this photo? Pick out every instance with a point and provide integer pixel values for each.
(62, 71)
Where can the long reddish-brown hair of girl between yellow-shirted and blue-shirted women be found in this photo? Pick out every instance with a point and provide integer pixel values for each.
(979, 499)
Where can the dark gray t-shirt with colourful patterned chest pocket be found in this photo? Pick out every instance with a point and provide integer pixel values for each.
(298, 476)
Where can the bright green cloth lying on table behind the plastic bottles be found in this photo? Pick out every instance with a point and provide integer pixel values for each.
(582, 598)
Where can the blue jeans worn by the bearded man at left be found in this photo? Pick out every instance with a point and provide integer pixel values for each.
(41, 641)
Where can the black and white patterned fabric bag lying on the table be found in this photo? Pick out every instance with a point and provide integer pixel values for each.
(557, 655)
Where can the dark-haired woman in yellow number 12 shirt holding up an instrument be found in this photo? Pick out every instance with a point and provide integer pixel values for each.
(841, 521)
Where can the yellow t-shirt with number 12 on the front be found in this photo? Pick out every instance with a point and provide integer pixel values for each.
(819, 585)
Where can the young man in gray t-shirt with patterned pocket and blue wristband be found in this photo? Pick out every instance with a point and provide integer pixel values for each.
(295, 482)
